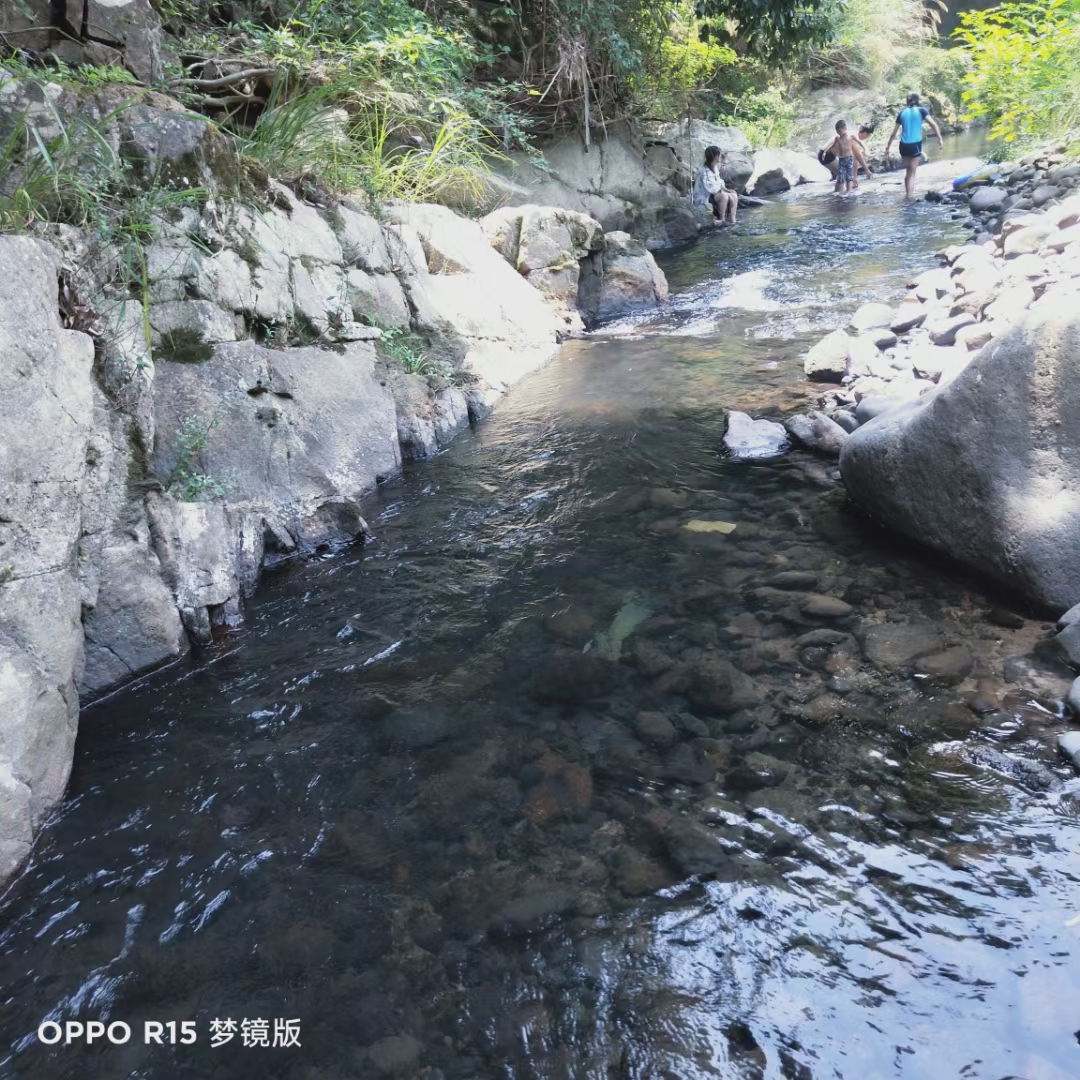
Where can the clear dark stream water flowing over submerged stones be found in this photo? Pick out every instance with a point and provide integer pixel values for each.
(406, 805)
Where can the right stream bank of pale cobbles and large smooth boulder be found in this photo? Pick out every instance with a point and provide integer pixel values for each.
(955, 416)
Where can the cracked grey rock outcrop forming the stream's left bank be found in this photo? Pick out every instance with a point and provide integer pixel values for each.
(242, 416)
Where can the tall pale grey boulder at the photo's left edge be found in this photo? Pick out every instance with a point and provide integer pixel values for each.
(47, 414)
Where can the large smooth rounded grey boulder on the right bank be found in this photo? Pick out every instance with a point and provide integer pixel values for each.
(988, 469)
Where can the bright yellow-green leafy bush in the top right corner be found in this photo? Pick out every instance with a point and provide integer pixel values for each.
(1025, 74)
